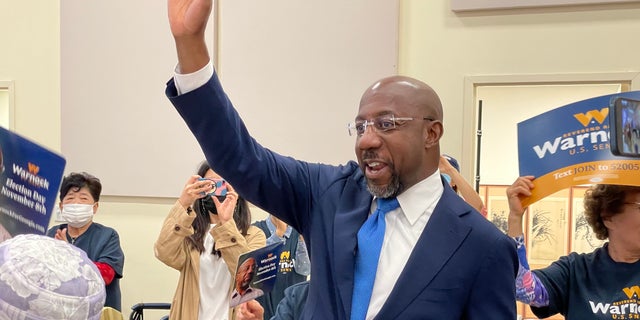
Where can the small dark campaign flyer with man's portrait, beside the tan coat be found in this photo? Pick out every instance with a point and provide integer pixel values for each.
(256, 273)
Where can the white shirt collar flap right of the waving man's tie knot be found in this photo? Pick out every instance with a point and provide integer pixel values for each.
(422, 197)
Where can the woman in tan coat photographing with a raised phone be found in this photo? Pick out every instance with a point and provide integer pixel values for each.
(202, 237)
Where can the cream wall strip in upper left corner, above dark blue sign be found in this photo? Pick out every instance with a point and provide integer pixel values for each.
(30, 57)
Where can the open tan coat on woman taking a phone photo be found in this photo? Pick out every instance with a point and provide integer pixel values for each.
(172, 249)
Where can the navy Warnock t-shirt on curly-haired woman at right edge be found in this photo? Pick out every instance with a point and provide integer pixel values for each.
(591, 286)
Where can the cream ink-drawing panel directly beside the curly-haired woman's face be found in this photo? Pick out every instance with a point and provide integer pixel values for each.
(583, 240)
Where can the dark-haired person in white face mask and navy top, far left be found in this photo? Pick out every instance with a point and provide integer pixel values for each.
(79, 196)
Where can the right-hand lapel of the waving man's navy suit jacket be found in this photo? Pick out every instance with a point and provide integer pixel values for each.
(441, 237)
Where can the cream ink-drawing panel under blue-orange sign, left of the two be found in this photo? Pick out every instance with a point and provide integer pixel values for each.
(547, 228)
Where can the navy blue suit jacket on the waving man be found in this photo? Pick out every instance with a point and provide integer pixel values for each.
(462, 267)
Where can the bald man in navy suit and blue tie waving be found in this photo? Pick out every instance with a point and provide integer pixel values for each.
(438, 258)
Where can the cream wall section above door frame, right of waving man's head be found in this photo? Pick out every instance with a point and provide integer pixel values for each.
(442, 48)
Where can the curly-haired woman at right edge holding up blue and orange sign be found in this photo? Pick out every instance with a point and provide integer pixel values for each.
(603, 284)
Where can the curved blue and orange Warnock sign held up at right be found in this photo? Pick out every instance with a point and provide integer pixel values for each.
(570, 146)
